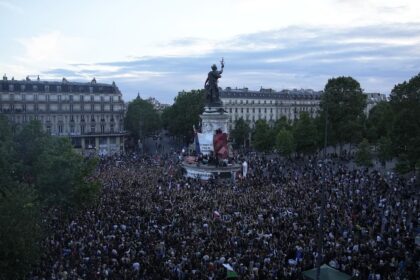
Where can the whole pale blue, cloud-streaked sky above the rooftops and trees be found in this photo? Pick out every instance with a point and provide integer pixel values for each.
(159, 48)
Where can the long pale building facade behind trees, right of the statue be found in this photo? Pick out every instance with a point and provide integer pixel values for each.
(268, 104)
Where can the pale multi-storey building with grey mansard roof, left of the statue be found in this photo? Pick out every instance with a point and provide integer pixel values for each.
(91, 114)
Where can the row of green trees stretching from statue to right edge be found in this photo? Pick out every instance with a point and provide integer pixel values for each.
(393, 127)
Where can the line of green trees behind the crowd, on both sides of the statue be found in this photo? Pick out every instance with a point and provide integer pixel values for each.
(393, 127)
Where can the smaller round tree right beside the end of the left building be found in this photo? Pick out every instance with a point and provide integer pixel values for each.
(141, 119)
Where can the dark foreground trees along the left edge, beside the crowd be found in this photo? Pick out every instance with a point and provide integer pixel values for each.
(38, 173)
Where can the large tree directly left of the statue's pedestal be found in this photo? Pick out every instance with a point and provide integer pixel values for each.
(184, 113)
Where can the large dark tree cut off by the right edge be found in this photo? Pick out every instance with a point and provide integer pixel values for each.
(405, 133)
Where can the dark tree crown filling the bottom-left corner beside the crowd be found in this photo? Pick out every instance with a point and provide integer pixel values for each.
(20, 231)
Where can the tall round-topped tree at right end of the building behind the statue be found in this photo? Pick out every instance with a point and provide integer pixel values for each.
(343, 101)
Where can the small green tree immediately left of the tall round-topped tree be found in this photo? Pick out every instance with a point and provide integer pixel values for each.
(305, 134)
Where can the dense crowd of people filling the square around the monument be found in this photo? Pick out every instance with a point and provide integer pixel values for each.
(151, 223)
